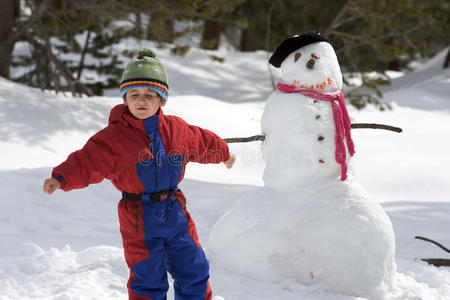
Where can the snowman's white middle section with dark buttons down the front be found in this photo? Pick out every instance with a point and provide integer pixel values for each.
(299, 140)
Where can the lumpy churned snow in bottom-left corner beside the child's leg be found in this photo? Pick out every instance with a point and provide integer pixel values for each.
(93, 273)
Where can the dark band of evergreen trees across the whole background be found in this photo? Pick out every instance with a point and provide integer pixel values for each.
(71, 39)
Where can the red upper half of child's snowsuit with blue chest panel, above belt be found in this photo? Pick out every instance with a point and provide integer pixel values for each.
(140, 155)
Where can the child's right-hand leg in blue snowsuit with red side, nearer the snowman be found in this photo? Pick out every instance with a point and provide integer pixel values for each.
(186, 260)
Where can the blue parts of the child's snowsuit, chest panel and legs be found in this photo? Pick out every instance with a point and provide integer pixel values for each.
(170, 246)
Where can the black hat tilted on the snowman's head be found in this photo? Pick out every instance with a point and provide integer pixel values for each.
(293, 43)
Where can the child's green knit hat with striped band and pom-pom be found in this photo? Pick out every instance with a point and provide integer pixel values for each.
(145, 70)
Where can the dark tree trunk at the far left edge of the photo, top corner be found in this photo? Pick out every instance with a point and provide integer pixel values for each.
(8, 13)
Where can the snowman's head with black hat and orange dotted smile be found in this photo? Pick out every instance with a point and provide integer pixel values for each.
(308, 61)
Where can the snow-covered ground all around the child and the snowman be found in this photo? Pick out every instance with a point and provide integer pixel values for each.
(68, 246)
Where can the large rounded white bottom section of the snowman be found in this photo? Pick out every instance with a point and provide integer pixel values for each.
(336, 237)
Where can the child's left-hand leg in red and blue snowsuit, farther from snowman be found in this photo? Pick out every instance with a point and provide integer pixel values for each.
(148, 273)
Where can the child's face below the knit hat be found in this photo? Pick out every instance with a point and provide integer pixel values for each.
(142, 102)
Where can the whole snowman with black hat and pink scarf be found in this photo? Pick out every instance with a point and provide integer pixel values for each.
(312, 222)
